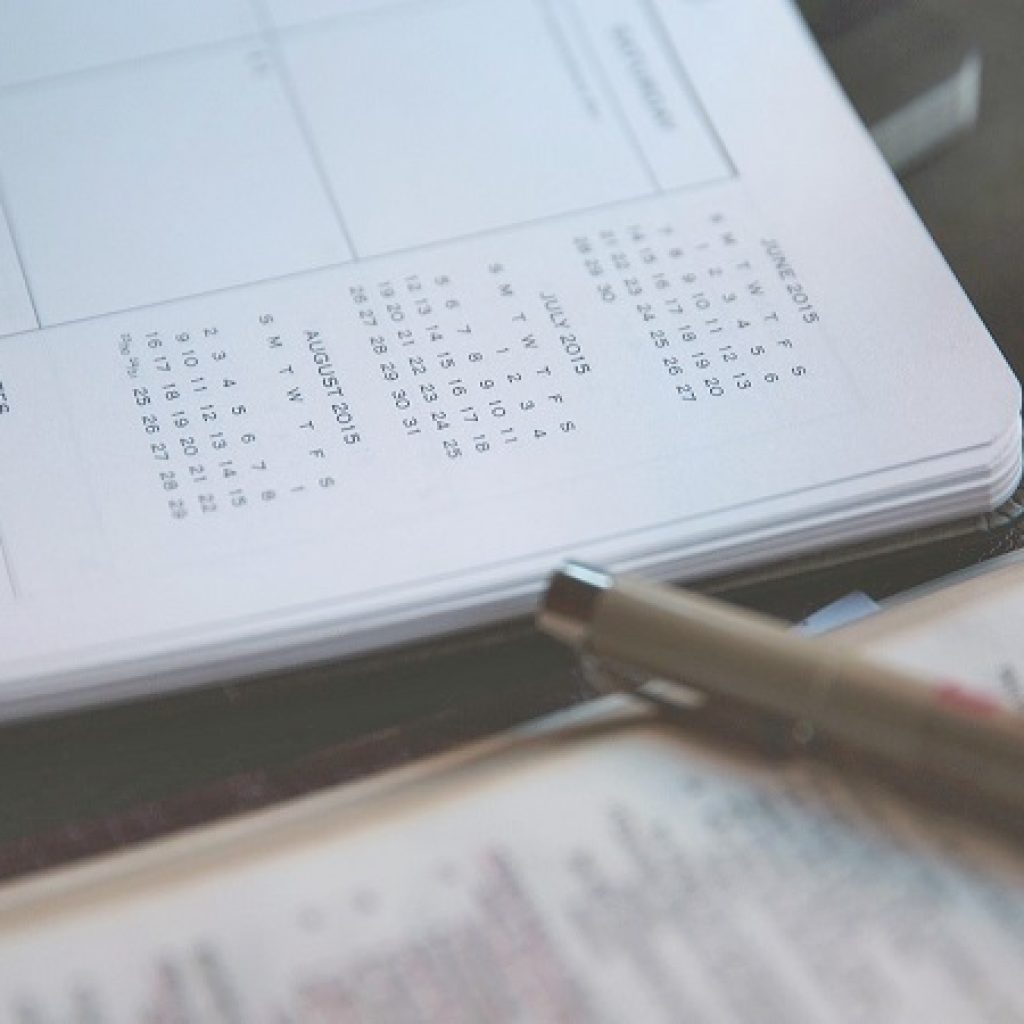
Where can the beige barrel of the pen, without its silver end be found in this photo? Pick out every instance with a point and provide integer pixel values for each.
(934, 734)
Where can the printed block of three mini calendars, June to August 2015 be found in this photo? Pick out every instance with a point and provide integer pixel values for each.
(477, 362)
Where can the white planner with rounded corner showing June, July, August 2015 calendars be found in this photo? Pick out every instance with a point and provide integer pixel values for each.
(333, 324)
